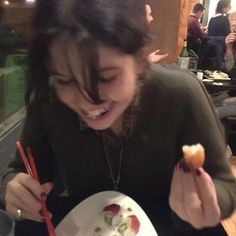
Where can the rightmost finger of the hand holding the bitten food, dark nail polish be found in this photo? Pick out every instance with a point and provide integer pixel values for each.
(208, 197)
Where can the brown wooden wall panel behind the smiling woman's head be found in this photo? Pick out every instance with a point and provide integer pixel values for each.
(169, 27)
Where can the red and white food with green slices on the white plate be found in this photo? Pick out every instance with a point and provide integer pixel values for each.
(117, 221)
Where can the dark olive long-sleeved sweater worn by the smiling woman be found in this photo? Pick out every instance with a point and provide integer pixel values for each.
(172, 101)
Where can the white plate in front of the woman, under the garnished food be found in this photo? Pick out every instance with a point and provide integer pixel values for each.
(88, 215)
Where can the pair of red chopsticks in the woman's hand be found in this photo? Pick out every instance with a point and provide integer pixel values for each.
(32, 171)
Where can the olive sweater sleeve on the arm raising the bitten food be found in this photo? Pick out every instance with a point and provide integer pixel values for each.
(200, 124)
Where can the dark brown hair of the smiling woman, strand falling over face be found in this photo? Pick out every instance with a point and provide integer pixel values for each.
(120, 24)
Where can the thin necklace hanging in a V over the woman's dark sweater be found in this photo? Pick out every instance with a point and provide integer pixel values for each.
(115, 181)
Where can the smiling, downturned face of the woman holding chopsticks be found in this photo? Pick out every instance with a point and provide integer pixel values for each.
(117, 87)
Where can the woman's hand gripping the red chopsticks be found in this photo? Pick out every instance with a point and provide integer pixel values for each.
(24, 193)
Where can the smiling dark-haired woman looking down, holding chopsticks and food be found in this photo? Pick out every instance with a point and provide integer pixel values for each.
(100, 118)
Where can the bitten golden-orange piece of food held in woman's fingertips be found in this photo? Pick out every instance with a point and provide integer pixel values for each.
(194, 155)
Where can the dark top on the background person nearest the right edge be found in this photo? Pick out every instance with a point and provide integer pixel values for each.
(219, 26)
